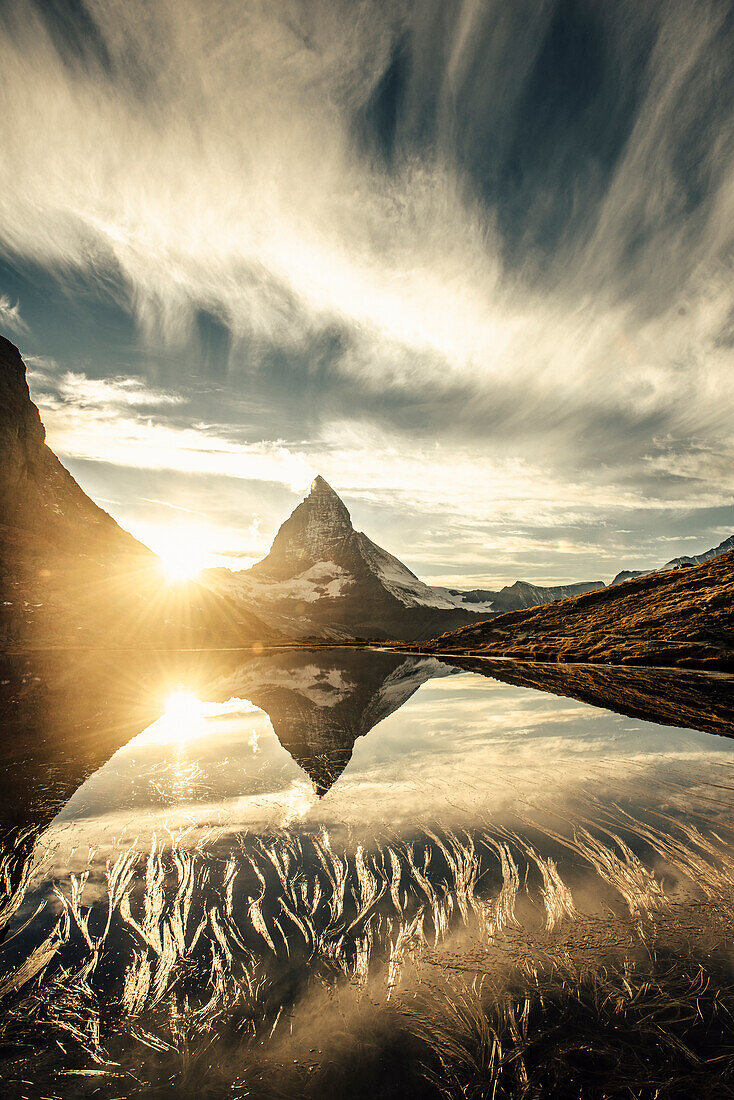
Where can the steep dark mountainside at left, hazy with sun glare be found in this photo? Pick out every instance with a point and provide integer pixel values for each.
(69, 574)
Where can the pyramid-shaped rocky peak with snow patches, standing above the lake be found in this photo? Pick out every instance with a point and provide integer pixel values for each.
(322, 578)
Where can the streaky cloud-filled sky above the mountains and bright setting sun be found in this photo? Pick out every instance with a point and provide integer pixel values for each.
(469, 261)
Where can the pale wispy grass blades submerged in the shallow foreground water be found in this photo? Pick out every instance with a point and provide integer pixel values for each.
(588, 963)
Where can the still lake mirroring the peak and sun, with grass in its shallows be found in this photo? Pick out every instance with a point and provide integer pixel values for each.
(349, 873)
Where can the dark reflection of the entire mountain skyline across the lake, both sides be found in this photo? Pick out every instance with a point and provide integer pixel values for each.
(67, 714)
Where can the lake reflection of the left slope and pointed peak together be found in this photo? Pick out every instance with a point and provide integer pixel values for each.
(65, 714)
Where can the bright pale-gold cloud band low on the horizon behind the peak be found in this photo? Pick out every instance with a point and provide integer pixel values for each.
(457, 516)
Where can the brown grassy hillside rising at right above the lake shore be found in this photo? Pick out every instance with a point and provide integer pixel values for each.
(684, 618)
